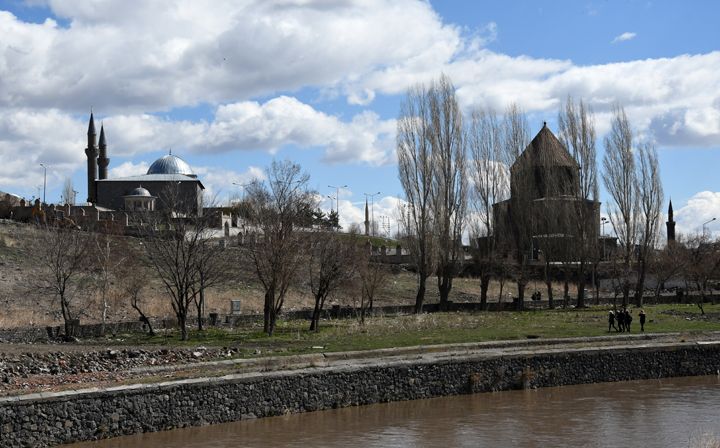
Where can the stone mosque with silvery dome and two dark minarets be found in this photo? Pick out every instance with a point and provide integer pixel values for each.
(168, 184)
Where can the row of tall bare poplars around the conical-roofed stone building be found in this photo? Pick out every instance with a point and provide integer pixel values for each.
(454, 170)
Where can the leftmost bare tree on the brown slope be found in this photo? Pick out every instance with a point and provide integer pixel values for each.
(63, 256)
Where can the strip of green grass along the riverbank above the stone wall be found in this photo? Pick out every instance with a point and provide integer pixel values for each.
(293, 337)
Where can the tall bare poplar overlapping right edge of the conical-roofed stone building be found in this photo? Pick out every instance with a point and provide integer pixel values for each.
(577, 132)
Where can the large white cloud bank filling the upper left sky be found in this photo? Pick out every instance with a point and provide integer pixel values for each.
(163, 54)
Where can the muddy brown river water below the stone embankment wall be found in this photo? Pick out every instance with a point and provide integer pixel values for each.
(674, 412)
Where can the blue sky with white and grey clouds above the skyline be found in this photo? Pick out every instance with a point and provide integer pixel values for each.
(230, 85)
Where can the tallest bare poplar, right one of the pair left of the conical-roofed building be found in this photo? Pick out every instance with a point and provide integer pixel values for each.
(450, 186)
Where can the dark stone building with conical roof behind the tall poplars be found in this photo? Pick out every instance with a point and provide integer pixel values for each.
(541, 218)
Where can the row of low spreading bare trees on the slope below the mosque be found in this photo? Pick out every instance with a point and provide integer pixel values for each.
(293, 246)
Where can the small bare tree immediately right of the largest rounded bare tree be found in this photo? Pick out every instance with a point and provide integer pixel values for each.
(330, 264)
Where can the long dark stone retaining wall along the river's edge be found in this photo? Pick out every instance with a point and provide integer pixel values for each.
(48, 419)
